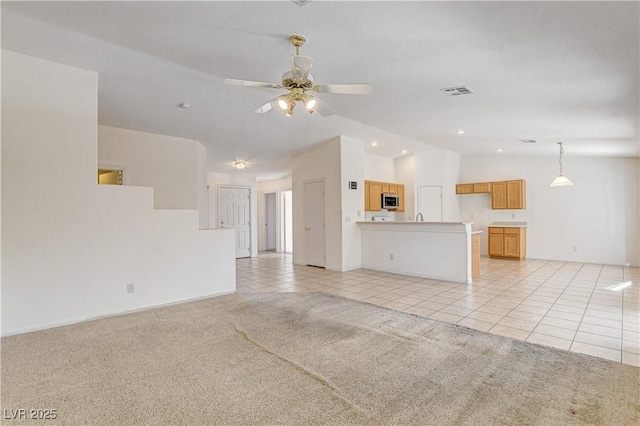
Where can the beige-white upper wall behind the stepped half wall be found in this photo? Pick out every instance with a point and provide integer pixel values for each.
(174, 167)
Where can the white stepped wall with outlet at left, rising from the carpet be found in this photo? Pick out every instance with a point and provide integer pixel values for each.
(70, 246)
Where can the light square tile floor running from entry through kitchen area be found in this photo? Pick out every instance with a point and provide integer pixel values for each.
(561, 304)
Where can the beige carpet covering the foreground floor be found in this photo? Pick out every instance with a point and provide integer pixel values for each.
(303, 359)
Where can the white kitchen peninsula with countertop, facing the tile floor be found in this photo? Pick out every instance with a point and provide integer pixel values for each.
(437, 250)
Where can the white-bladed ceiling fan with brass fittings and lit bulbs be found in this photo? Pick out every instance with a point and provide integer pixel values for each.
(298, 81)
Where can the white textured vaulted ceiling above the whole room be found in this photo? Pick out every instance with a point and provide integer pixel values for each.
(549, 71)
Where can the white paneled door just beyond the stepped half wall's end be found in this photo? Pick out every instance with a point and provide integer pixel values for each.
(235, 213)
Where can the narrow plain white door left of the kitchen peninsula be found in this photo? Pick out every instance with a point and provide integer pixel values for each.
(315, 240)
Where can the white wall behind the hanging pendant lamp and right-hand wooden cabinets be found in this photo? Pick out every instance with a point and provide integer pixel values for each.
(598, 215)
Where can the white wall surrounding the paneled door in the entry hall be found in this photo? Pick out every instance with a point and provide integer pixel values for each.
(239, 178)
